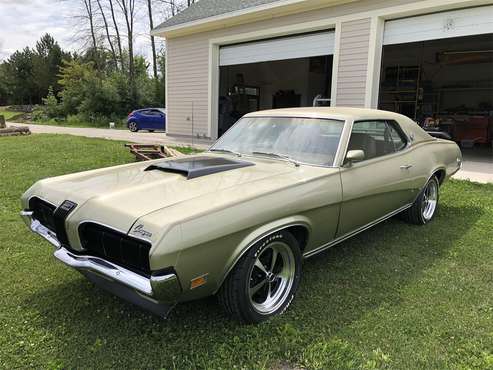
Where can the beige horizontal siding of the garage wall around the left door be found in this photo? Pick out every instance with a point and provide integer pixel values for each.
(188, 63)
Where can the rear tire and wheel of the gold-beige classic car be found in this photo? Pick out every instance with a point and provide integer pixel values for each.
(418, 213)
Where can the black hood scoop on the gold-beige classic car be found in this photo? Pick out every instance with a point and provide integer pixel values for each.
(198, 166)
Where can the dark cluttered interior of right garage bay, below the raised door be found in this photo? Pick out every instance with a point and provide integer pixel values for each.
(445, 85)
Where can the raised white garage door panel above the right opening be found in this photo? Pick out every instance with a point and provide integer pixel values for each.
(455, 23)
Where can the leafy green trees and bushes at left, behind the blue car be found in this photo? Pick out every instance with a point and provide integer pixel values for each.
(87, 88)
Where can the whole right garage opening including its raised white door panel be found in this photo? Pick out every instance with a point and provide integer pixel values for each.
(438, 70)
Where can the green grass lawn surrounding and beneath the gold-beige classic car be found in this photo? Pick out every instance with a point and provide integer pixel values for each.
(395, 297)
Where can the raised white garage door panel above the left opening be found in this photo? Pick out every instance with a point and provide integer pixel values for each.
(301, 46)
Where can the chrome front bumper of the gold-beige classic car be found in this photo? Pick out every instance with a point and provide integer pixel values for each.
(163, 288)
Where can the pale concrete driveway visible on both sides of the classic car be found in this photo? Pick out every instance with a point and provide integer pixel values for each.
(477, 164)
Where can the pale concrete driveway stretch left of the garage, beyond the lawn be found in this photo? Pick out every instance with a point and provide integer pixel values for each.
(121, 135)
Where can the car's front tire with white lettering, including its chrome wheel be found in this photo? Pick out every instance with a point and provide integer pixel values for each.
(236, 294)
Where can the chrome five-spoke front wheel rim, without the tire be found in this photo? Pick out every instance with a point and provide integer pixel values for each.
(271, 278)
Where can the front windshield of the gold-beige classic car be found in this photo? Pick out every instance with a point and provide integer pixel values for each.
(306, 140)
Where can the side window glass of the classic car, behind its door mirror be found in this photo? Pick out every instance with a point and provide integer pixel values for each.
(376, 138)
